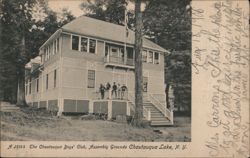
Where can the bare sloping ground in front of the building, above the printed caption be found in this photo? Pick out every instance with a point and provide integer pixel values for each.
(40, 125)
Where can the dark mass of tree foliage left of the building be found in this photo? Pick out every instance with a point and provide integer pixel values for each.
(17, 24)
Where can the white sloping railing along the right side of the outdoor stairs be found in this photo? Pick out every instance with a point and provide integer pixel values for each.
(166, 112)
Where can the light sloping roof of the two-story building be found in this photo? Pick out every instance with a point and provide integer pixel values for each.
(105, 30)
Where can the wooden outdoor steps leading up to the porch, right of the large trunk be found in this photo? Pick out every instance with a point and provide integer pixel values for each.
(157, 118)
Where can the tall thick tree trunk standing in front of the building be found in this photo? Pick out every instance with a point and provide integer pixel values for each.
(138, 66)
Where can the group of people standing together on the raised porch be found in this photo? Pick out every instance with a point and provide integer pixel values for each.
(117, 91)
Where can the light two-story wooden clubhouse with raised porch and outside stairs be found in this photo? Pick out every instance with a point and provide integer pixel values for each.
(87, 52)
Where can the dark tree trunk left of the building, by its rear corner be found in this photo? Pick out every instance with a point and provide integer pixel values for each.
(21, 76)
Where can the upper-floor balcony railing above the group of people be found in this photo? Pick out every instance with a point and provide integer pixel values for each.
(118, 61)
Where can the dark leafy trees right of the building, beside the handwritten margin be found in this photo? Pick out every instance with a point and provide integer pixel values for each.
(168, 23)
